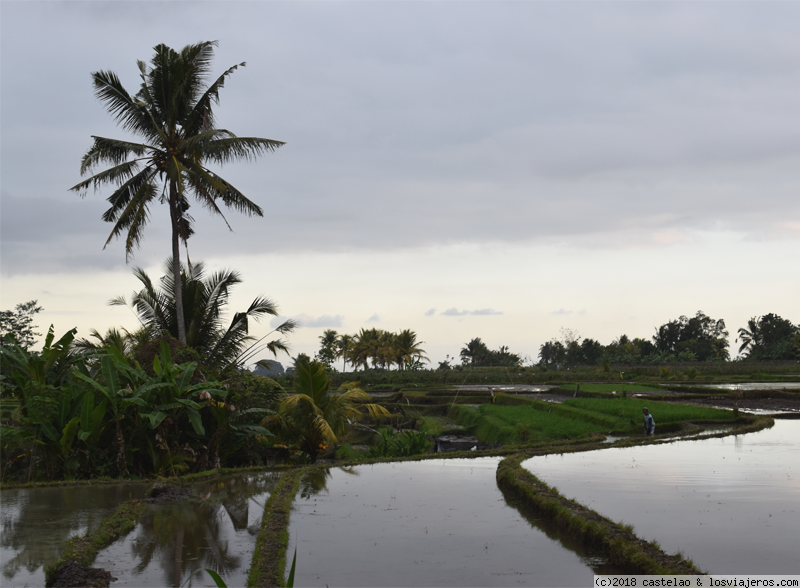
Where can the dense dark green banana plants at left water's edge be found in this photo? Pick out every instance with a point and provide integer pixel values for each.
(121, 420)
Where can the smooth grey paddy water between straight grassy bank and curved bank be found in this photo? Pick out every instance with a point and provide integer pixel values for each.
(431, 523)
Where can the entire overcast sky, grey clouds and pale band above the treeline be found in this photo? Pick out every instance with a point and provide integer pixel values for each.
(462, 169)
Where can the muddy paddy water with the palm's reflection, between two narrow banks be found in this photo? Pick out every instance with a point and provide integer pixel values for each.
(215, 529)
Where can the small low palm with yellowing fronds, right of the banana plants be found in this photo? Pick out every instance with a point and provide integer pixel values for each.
(314, 416)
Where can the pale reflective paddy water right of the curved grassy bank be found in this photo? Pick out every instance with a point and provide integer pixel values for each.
(730, 504)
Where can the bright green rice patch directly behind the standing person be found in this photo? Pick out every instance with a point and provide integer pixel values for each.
(630, 409)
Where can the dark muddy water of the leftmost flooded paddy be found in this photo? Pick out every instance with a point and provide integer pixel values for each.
(35, 523)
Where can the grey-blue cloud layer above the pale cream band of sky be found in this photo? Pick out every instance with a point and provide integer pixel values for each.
(500, 122)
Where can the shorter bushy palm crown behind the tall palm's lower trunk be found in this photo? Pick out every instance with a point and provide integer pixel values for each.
(205, 300)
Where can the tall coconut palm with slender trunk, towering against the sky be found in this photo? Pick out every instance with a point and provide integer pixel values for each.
(172, 113)
